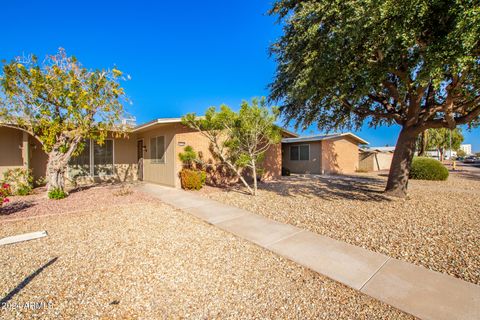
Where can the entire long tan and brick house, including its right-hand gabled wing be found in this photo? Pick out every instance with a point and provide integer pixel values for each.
(150, 153)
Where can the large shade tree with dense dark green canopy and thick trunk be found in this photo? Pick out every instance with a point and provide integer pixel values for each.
(412, 63)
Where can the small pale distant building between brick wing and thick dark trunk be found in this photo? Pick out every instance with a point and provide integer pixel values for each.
(375, 158)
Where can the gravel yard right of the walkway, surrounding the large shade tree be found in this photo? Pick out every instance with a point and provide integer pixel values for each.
(437, 226)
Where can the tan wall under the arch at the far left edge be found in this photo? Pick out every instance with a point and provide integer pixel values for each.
(10, 149)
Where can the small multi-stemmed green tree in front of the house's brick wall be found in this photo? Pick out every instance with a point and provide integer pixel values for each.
(241, 139)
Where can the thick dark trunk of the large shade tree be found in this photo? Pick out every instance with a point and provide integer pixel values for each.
(400, 168)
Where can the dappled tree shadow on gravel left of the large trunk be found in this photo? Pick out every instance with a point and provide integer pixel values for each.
(330, 187)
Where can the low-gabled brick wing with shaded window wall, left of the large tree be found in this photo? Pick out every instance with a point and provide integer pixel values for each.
(322, 154)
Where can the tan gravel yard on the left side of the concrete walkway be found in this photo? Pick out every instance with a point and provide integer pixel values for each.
(144, 259)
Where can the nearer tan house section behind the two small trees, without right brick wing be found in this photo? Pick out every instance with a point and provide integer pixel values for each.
(149, 152)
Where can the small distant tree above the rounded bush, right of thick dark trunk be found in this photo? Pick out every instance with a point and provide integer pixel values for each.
(442, 139)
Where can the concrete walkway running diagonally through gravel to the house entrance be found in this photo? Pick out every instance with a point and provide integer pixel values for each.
(416, 290)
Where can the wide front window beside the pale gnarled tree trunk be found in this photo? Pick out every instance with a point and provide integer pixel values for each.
(95, 160)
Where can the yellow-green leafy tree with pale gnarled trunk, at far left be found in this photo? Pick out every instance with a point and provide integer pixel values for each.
(60, 103)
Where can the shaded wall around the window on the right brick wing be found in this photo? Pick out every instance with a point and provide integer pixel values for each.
(313, 165)
